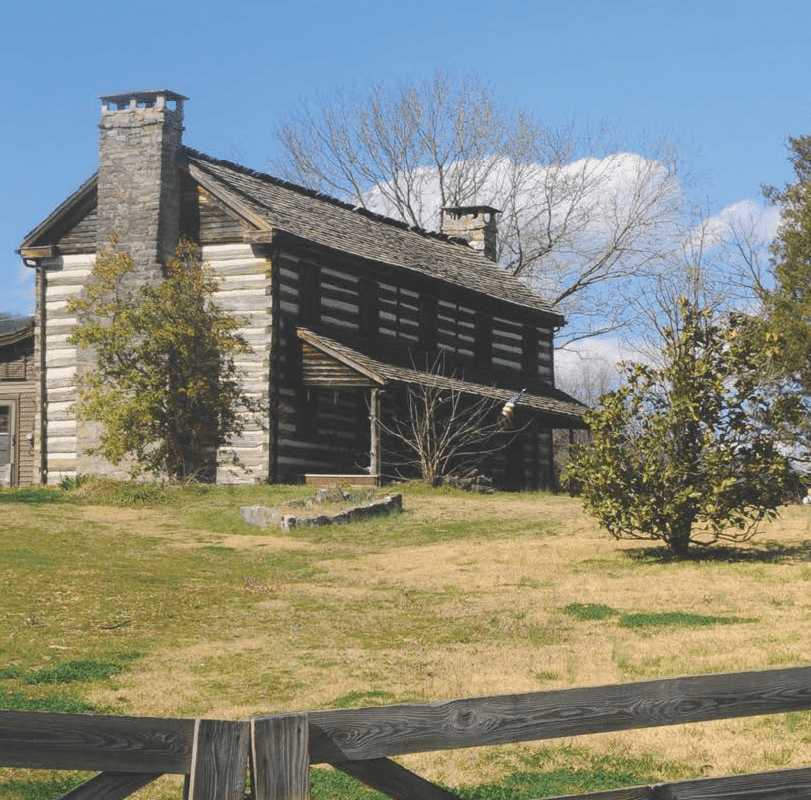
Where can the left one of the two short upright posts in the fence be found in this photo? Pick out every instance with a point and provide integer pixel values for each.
(219, 760)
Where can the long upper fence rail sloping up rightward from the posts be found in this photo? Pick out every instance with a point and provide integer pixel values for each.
(365, 733)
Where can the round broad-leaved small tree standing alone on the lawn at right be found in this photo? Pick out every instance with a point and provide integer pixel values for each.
(681, 453)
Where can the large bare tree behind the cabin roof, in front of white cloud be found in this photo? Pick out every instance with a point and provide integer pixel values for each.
(583, 222)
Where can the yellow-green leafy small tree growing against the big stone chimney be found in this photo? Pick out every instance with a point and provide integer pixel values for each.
(164, 384)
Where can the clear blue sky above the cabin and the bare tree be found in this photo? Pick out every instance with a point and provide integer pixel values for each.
(728, 80)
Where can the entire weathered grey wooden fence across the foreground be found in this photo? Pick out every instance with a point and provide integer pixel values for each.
(277, 750)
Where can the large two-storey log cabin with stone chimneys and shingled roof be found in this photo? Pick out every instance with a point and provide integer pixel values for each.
(344, 310)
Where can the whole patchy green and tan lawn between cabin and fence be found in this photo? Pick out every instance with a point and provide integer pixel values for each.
(163, 602)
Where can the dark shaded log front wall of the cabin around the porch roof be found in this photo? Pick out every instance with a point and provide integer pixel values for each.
(405, 320)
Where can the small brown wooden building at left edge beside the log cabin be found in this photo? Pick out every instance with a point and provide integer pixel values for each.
(18, 396)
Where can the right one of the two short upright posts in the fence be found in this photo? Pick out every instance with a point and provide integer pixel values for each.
(280, 746)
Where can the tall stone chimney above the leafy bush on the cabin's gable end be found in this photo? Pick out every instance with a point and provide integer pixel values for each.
(139, 182)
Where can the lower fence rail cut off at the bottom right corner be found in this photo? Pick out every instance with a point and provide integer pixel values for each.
(788, 784)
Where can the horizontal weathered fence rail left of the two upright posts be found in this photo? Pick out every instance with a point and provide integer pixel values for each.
(90, 742)
